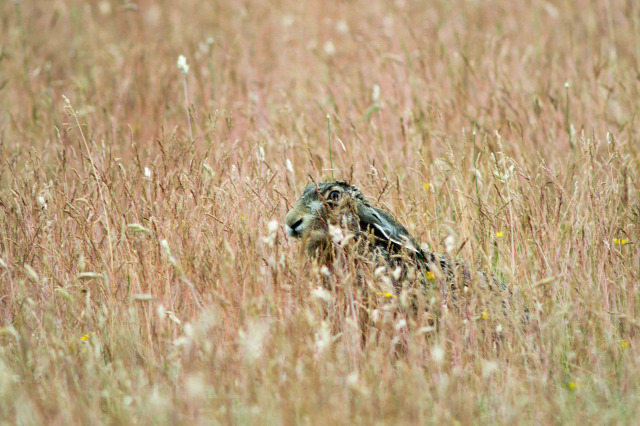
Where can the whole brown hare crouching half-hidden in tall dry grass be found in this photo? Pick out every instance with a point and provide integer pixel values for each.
(325, 212)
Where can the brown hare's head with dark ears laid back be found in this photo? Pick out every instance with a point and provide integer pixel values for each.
(325, 207)
